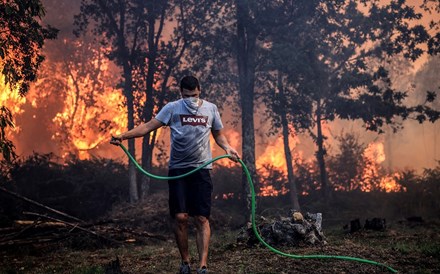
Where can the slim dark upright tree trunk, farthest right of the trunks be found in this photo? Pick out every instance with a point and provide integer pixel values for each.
(321, 152)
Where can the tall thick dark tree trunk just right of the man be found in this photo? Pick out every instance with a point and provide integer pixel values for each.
(246, 45)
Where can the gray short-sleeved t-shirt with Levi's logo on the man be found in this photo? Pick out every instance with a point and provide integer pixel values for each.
(190, 132)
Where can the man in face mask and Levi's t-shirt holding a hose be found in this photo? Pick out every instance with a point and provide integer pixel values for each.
(191, 120)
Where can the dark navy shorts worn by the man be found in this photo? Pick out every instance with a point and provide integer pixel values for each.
(191, 194)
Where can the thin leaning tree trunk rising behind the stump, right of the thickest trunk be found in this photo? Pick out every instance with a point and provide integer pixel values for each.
(285, 126)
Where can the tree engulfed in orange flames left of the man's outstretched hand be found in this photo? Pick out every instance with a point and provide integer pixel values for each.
(82, 78)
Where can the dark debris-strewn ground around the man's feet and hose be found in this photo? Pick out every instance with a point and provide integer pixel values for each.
(405, 246)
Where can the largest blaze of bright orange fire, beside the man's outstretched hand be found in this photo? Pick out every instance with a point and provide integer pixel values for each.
(92, 108)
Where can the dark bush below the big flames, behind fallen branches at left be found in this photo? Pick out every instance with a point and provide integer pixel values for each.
(82, 188)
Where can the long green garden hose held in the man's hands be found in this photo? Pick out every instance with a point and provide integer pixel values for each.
(253, 206)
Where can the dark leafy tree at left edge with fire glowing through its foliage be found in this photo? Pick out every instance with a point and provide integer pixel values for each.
(21, 40)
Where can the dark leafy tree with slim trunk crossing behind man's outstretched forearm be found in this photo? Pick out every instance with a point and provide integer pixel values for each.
(120, 26)
